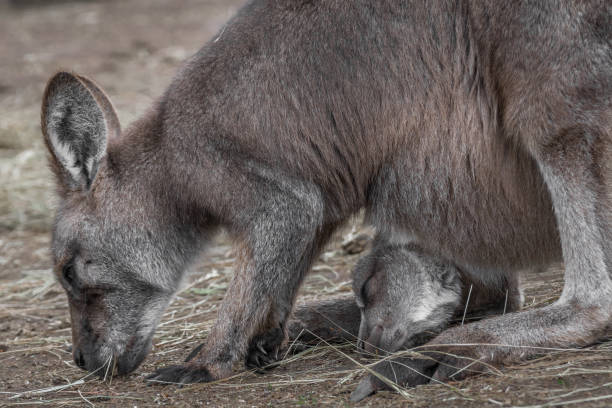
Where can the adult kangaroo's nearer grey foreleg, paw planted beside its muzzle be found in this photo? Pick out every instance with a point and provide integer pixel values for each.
(284, 233)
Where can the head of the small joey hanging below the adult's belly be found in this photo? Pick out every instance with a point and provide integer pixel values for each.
(403, 295)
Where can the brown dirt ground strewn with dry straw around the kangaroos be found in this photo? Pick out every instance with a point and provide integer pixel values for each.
(132, 48)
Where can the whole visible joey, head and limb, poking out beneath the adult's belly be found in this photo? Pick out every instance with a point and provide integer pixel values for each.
(407, 296)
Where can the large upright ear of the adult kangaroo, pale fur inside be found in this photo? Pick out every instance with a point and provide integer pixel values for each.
(77, 121)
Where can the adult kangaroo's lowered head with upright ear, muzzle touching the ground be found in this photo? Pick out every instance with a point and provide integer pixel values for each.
(119, 264)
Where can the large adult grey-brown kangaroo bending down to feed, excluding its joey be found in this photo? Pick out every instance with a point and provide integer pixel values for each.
(480, 131)
